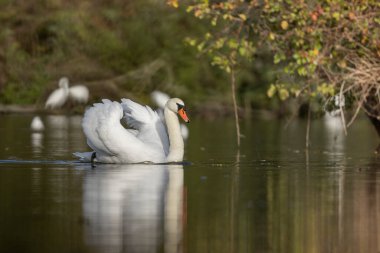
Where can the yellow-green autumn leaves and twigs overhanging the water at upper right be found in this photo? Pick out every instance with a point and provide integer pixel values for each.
(326, 46)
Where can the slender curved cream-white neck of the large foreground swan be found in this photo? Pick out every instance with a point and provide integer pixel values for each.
(176, 145)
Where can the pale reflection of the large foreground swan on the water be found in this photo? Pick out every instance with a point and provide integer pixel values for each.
(134, 208)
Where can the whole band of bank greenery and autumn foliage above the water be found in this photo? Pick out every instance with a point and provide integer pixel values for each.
(280, 50)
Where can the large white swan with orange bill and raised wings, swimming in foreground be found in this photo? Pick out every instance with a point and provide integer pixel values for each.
(149, 140)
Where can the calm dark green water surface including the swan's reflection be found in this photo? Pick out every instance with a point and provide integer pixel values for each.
(272, 196)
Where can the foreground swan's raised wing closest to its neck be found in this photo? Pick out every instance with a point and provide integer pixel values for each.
(151, 129)
